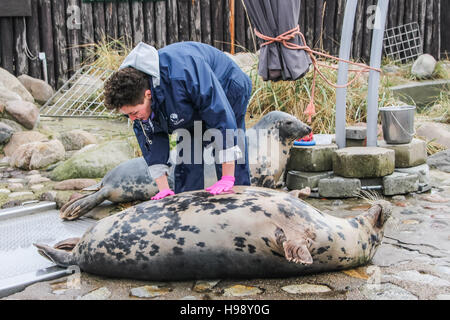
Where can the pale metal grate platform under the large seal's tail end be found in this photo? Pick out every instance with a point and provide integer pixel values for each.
(20, 263)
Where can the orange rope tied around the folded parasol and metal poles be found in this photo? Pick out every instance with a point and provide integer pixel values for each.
(291, 34)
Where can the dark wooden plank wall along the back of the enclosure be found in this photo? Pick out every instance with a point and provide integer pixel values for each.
(50, 28)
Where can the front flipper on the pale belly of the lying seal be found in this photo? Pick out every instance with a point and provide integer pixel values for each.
(295, 250)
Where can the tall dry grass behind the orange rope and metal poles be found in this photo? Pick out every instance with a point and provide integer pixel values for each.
(294, 96)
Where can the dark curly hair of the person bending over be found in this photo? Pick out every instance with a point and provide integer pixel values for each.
(125, 87)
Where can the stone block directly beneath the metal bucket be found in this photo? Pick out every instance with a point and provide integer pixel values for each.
(408, 155)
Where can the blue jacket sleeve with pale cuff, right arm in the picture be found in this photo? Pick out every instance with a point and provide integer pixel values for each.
(204, 92)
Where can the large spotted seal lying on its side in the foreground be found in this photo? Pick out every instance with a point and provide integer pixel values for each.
(252, 232)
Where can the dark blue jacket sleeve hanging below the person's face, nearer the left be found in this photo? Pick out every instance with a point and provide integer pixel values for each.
(155, 151)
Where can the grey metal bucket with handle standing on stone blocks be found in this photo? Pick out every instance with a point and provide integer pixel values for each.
(398, 124)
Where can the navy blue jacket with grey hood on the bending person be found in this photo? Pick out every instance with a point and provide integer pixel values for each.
(197, 82)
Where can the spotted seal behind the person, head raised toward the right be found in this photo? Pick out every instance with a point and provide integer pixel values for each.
(130, 181)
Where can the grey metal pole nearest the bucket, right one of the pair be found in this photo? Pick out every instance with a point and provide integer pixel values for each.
(374, 76)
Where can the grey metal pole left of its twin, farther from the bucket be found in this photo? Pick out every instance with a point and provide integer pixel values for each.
(344, 53)
